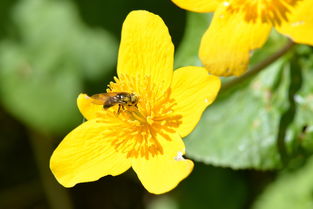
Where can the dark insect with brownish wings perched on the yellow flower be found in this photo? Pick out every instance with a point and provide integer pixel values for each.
(111, 99)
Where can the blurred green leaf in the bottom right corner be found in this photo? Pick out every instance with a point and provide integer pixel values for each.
(290, 191)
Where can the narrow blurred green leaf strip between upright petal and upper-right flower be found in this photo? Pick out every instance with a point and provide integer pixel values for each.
(187, 53)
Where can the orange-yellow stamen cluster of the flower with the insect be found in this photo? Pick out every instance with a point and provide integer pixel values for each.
(142, 129)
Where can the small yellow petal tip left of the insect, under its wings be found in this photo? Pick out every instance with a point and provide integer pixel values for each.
(87, 108)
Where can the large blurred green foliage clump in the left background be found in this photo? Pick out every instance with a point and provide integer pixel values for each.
(44, 67)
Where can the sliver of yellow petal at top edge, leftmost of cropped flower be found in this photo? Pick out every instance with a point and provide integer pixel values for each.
(197, 5)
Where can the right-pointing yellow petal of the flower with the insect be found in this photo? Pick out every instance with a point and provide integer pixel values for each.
(193, 89)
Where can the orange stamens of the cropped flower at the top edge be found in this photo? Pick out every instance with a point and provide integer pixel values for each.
(268, 11)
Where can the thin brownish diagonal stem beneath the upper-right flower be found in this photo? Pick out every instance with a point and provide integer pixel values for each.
(259, 67)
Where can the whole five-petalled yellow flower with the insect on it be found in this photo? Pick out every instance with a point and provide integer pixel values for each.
(146, 137)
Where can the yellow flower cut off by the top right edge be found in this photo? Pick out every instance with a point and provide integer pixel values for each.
(239, 26)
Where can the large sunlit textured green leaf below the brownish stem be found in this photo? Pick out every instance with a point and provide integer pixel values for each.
(240, 129)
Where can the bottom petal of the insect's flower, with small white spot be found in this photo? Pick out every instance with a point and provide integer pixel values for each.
(162, 173)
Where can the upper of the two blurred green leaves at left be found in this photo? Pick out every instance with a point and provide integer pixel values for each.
(61, 34)
